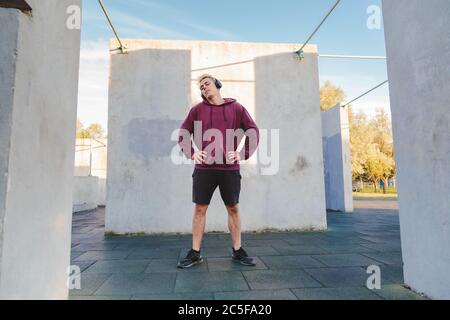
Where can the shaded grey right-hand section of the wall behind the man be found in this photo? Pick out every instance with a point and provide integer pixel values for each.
(287, 99)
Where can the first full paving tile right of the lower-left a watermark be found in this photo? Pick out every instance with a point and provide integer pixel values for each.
(141, 283)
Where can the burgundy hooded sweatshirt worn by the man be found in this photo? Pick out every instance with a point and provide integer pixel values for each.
(230, 115)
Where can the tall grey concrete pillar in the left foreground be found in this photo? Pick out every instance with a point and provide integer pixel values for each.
(40, 57)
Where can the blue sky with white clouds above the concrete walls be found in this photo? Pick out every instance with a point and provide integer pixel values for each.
(284, 21)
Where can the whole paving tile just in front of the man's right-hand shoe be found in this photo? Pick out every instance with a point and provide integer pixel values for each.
(279, 279)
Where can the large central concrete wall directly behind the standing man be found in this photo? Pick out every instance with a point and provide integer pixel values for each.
(151, 91)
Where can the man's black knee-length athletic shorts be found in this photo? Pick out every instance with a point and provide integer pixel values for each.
(205, 182)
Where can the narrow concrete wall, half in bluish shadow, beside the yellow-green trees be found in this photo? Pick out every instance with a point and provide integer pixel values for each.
(337, 161)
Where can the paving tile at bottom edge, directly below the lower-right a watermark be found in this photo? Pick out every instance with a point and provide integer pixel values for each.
(357, 293)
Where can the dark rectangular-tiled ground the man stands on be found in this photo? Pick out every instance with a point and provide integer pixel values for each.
(319, 265)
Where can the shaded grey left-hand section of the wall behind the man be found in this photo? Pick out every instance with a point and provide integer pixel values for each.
(148, 99)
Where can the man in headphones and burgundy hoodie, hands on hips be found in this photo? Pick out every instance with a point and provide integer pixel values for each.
(217, 167)
